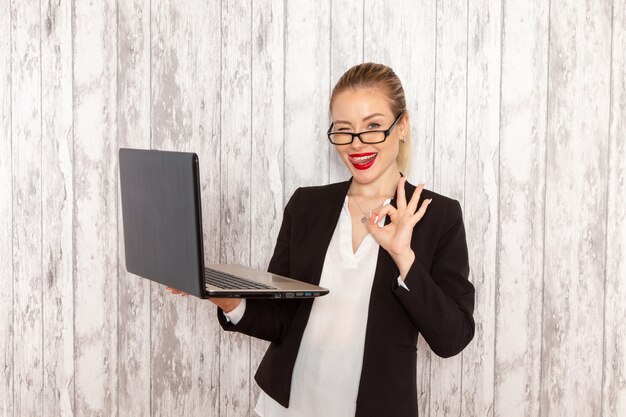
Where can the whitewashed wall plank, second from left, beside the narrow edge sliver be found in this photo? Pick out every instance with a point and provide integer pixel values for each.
(27, 221)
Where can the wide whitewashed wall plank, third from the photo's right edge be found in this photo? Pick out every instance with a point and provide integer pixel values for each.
(520, 244)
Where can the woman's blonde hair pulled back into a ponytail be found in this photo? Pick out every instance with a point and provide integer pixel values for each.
(372, 75)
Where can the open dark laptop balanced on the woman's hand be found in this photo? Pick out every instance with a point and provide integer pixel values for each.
(161, 214)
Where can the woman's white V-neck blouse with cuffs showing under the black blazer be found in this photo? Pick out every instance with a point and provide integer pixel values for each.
(327, 371)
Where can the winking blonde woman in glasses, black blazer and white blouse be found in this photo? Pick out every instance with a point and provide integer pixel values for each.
(393, 255)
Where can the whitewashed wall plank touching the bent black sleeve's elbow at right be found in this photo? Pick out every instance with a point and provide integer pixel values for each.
(481, 208)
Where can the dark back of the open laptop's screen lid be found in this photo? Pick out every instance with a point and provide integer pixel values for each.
(161, 217)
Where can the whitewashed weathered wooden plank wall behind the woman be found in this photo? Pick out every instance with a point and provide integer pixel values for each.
(518, 109)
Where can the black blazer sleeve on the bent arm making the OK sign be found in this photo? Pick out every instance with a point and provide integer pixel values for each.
(440, 302)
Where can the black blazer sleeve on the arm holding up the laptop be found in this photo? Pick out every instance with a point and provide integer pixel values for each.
(270, 319)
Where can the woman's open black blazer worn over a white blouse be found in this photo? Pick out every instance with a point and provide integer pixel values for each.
(439, 305)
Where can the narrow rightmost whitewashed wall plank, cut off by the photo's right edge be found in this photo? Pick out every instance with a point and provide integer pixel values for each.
(614, 382)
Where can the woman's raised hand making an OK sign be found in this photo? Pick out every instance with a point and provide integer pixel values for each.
(395, 237)
